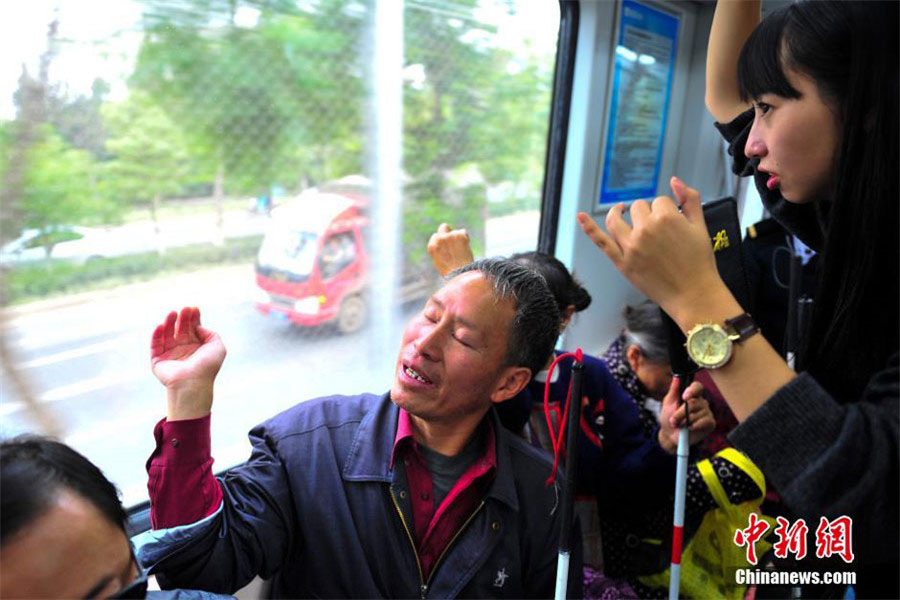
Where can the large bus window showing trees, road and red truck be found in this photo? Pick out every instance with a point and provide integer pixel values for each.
(223, 155)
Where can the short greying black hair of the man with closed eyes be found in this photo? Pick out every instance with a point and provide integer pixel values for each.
(535, 326)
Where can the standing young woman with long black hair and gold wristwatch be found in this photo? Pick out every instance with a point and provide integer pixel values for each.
(808, 101)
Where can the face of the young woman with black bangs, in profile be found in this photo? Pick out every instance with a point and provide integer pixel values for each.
(796, 141)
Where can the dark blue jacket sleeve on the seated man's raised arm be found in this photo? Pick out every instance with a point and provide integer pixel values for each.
(249, 533)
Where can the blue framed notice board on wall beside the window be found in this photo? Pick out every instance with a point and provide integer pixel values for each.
(642, 87)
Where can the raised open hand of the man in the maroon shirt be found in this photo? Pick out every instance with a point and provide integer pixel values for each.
(186, 357)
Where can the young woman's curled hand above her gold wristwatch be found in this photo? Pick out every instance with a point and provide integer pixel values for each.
(665, 252)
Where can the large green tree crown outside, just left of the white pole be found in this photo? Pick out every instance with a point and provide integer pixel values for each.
(275, 103)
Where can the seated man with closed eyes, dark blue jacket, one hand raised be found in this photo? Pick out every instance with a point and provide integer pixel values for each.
(418, 492)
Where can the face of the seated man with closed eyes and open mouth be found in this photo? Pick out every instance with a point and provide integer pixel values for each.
(451, 361)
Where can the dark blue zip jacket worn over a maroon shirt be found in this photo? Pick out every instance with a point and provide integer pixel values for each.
(313, 508)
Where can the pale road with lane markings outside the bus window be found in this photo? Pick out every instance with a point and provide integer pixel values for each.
(87, 360)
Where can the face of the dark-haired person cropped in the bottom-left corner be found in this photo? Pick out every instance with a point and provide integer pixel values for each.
(70, 551)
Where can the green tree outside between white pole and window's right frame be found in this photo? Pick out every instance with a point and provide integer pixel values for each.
(478, 118)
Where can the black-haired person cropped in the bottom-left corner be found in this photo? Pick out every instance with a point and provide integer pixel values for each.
(62, 528)
